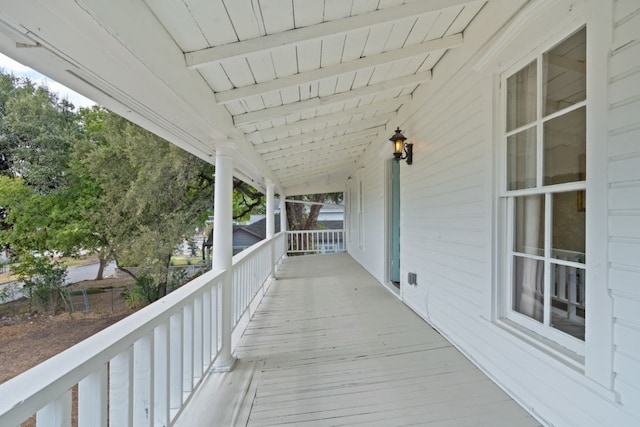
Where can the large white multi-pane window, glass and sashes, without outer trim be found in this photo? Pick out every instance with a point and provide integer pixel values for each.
(544, 191)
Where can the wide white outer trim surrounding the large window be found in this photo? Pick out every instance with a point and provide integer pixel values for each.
(596, 367)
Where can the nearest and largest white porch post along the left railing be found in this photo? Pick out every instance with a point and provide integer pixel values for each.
(223, 250)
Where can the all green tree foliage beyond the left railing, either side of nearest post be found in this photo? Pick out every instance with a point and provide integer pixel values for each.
(90, 180)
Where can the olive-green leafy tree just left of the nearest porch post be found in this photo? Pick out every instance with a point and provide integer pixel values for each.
(152, 193)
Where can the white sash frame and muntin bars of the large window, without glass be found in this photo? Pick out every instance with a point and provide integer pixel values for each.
(506, 198)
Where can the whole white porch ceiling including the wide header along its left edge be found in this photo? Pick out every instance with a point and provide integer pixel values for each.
(299, 88)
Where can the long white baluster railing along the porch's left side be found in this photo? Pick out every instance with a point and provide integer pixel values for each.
(142, 370)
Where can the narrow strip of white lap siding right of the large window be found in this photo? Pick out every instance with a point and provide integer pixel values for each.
(624, 200)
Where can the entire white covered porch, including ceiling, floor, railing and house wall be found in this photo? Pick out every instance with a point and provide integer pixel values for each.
(297, 97)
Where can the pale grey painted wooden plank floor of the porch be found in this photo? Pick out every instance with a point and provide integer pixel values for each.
(329, 346)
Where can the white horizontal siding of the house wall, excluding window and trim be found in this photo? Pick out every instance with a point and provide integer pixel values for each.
(448, 235)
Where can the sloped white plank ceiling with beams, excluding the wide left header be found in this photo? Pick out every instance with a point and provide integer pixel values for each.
(312, 84)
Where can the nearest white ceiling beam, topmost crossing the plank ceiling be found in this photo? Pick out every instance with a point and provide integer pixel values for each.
(204, 57)
